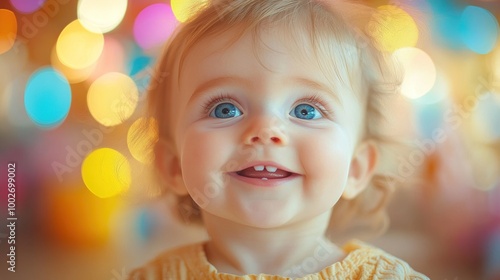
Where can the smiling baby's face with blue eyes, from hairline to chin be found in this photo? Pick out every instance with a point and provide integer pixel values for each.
(263, 141)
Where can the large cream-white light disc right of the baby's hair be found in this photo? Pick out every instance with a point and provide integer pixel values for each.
(419, 72)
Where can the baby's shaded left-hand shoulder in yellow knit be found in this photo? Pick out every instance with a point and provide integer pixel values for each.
(177, 263)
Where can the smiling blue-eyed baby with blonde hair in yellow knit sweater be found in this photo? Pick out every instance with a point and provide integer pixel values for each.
(268, 113)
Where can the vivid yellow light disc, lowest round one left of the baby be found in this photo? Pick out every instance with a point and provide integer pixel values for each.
(106, 173)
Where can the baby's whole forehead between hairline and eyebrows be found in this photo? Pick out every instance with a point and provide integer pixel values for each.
(274, 49)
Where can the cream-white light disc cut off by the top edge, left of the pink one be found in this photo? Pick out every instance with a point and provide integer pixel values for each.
(101, 16)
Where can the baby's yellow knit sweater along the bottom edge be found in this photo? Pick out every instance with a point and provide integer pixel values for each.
(362, 262)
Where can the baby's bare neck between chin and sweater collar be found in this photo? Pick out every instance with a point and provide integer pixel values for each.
(292, 251)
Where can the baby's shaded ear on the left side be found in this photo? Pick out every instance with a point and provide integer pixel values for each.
(169, 167)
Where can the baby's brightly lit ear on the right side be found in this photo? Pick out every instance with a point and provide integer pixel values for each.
(362, 168)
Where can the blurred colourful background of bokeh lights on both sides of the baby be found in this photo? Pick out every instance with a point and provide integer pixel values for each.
(73, 76)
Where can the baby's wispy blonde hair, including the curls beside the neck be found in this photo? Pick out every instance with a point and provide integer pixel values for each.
(341, 45)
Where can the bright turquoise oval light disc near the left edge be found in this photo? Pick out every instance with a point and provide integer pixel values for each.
(47, 97)
